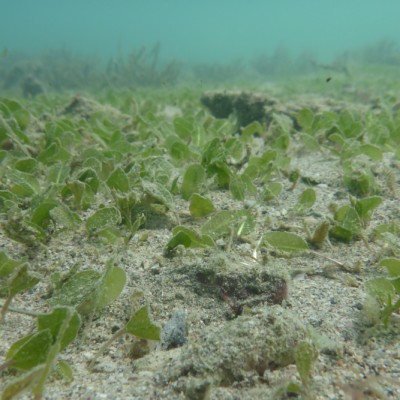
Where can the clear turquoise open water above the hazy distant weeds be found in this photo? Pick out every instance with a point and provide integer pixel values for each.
(197, 31)
